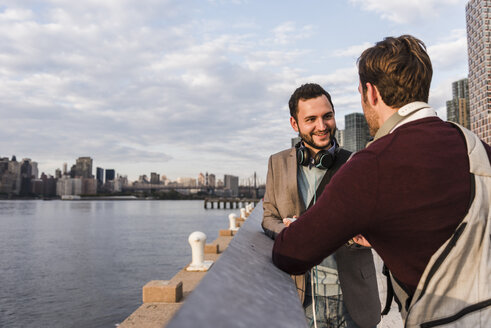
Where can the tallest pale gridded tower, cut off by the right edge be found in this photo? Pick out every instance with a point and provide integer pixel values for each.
(478, 14)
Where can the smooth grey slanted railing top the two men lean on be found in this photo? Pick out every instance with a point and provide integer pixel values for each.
(243, 288)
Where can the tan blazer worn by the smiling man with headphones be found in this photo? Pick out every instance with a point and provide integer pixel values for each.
(355, 264)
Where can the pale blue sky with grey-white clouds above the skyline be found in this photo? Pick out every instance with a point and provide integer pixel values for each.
(180, 87)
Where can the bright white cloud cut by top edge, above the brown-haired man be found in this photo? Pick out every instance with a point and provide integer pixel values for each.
(403, 11)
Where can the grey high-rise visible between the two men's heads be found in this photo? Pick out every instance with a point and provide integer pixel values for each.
(356, 133)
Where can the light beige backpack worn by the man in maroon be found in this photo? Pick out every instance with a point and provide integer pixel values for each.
(455, 288)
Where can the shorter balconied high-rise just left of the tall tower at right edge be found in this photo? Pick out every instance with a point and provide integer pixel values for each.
(458, 107)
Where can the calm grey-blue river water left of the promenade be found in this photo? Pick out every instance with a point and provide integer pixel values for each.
(83, 263)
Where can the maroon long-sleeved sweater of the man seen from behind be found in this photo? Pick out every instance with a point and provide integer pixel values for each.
(406, 193)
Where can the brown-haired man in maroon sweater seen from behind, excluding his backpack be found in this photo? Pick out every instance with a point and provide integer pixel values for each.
(407, 191)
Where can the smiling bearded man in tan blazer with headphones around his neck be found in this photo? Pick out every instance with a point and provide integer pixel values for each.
(342, 290)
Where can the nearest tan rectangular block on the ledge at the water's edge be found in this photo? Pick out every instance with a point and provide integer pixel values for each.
(162, 291)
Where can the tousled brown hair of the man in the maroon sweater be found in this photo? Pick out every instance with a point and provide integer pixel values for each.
(399, 67)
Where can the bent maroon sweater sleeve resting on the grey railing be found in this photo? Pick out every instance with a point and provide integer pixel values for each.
(342, 211)
